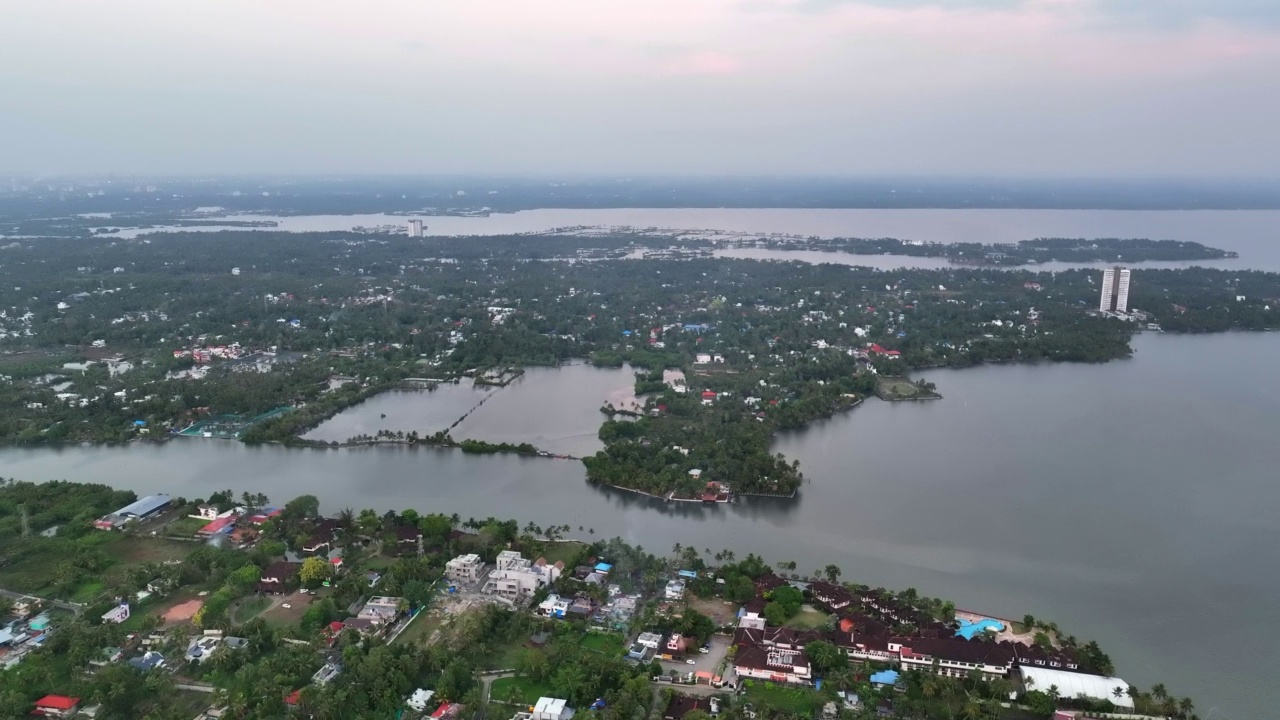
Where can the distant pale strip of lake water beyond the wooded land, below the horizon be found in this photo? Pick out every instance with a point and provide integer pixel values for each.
(1252, 234)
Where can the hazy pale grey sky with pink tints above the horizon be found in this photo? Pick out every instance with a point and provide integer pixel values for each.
(806, 88)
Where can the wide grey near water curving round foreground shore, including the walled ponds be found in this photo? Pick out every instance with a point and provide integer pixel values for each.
(1133, 503)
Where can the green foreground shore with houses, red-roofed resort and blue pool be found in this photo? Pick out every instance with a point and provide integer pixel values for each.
(262, 613)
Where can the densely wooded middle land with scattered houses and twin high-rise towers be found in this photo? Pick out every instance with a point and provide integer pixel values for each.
(109, 340)
